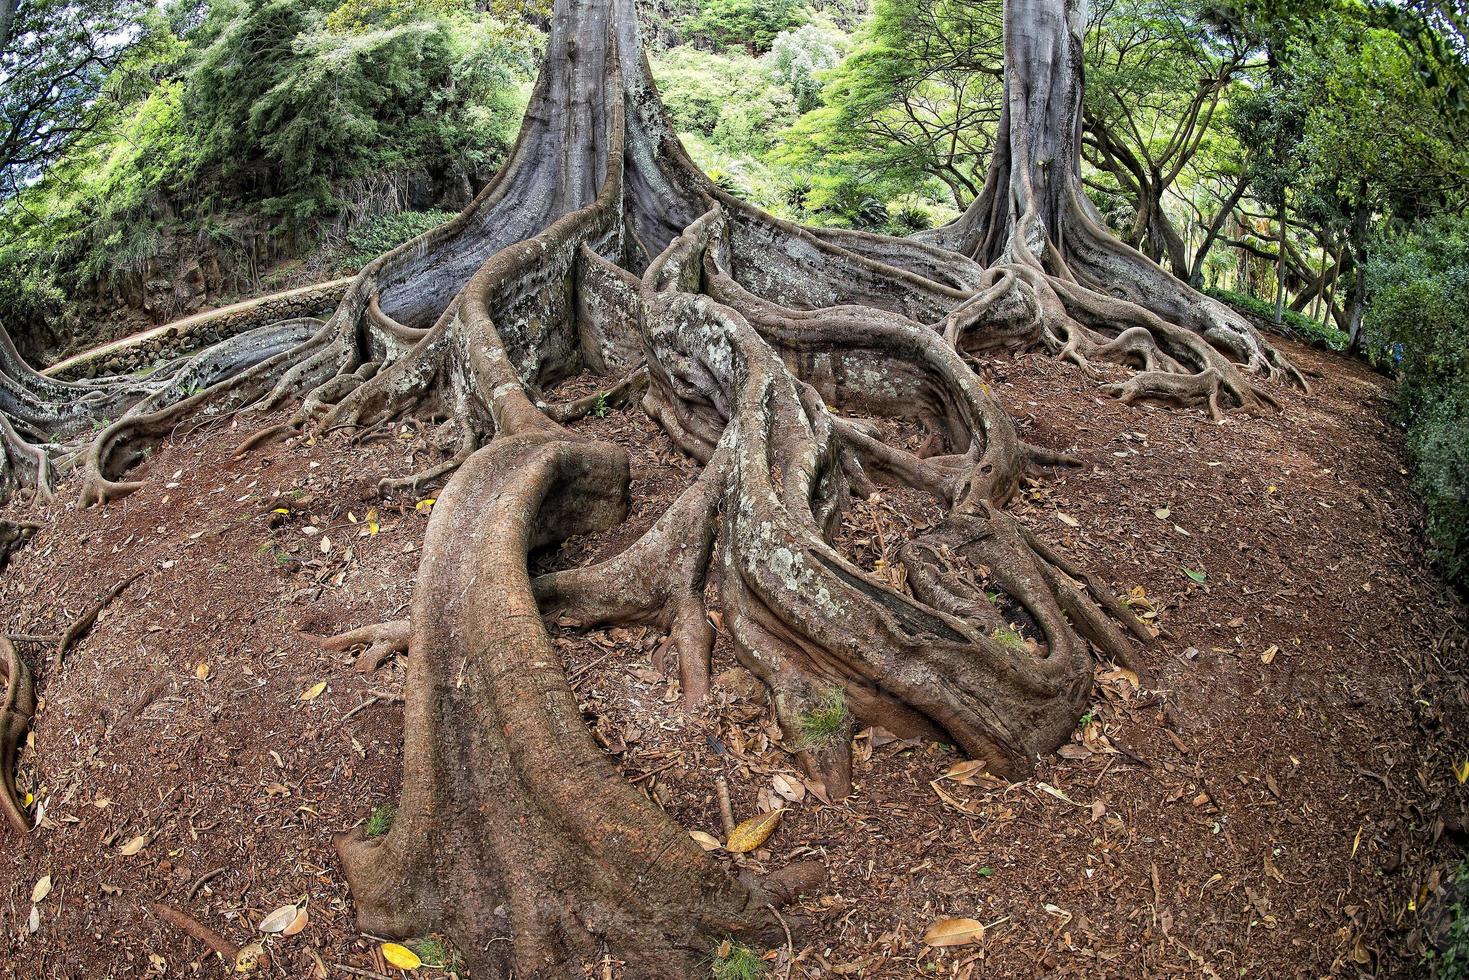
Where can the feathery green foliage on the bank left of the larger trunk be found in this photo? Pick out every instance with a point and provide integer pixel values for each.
(265, 127)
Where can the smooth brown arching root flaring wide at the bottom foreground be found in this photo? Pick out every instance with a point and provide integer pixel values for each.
(513, 824)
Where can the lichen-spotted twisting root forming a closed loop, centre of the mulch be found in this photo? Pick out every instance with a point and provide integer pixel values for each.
(813, 627)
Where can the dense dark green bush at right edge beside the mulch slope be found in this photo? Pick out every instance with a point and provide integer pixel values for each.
(1418, 324)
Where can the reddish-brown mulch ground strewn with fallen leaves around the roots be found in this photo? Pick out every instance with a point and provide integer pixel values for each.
(1274, 797)
